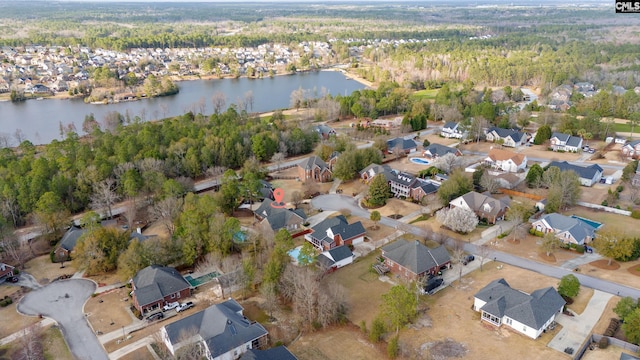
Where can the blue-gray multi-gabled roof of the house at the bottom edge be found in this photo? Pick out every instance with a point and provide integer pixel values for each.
(221, 326)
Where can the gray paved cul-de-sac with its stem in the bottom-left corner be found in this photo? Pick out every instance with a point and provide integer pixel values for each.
(63, 301)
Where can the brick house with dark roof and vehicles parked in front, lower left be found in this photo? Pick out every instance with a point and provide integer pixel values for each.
(156, 285)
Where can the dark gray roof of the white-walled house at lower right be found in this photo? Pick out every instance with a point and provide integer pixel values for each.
(532, 310)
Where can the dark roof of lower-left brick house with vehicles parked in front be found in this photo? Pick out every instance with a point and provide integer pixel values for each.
(155, 282)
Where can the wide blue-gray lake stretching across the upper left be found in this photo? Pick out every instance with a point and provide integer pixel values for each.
(40, 121)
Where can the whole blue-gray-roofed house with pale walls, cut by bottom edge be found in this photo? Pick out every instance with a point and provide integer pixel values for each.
(221, 331)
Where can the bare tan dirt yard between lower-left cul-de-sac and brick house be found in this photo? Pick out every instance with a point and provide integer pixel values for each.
(110, 311)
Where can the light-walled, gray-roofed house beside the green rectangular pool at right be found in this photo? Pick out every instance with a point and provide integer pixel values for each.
(568, 229)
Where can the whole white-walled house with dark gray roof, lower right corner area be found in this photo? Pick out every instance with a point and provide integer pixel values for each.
(528, 314)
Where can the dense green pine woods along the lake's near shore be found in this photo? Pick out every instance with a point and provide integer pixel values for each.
(141, 158)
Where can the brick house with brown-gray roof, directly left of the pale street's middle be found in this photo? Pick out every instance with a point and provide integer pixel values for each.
(412, 260)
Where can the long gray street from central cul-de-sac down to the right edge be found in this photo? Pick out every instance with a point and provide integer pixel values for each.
(338, 202)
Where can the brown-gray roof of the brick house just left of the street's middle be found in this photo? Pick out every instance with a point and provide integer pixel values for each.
(416, 257)
